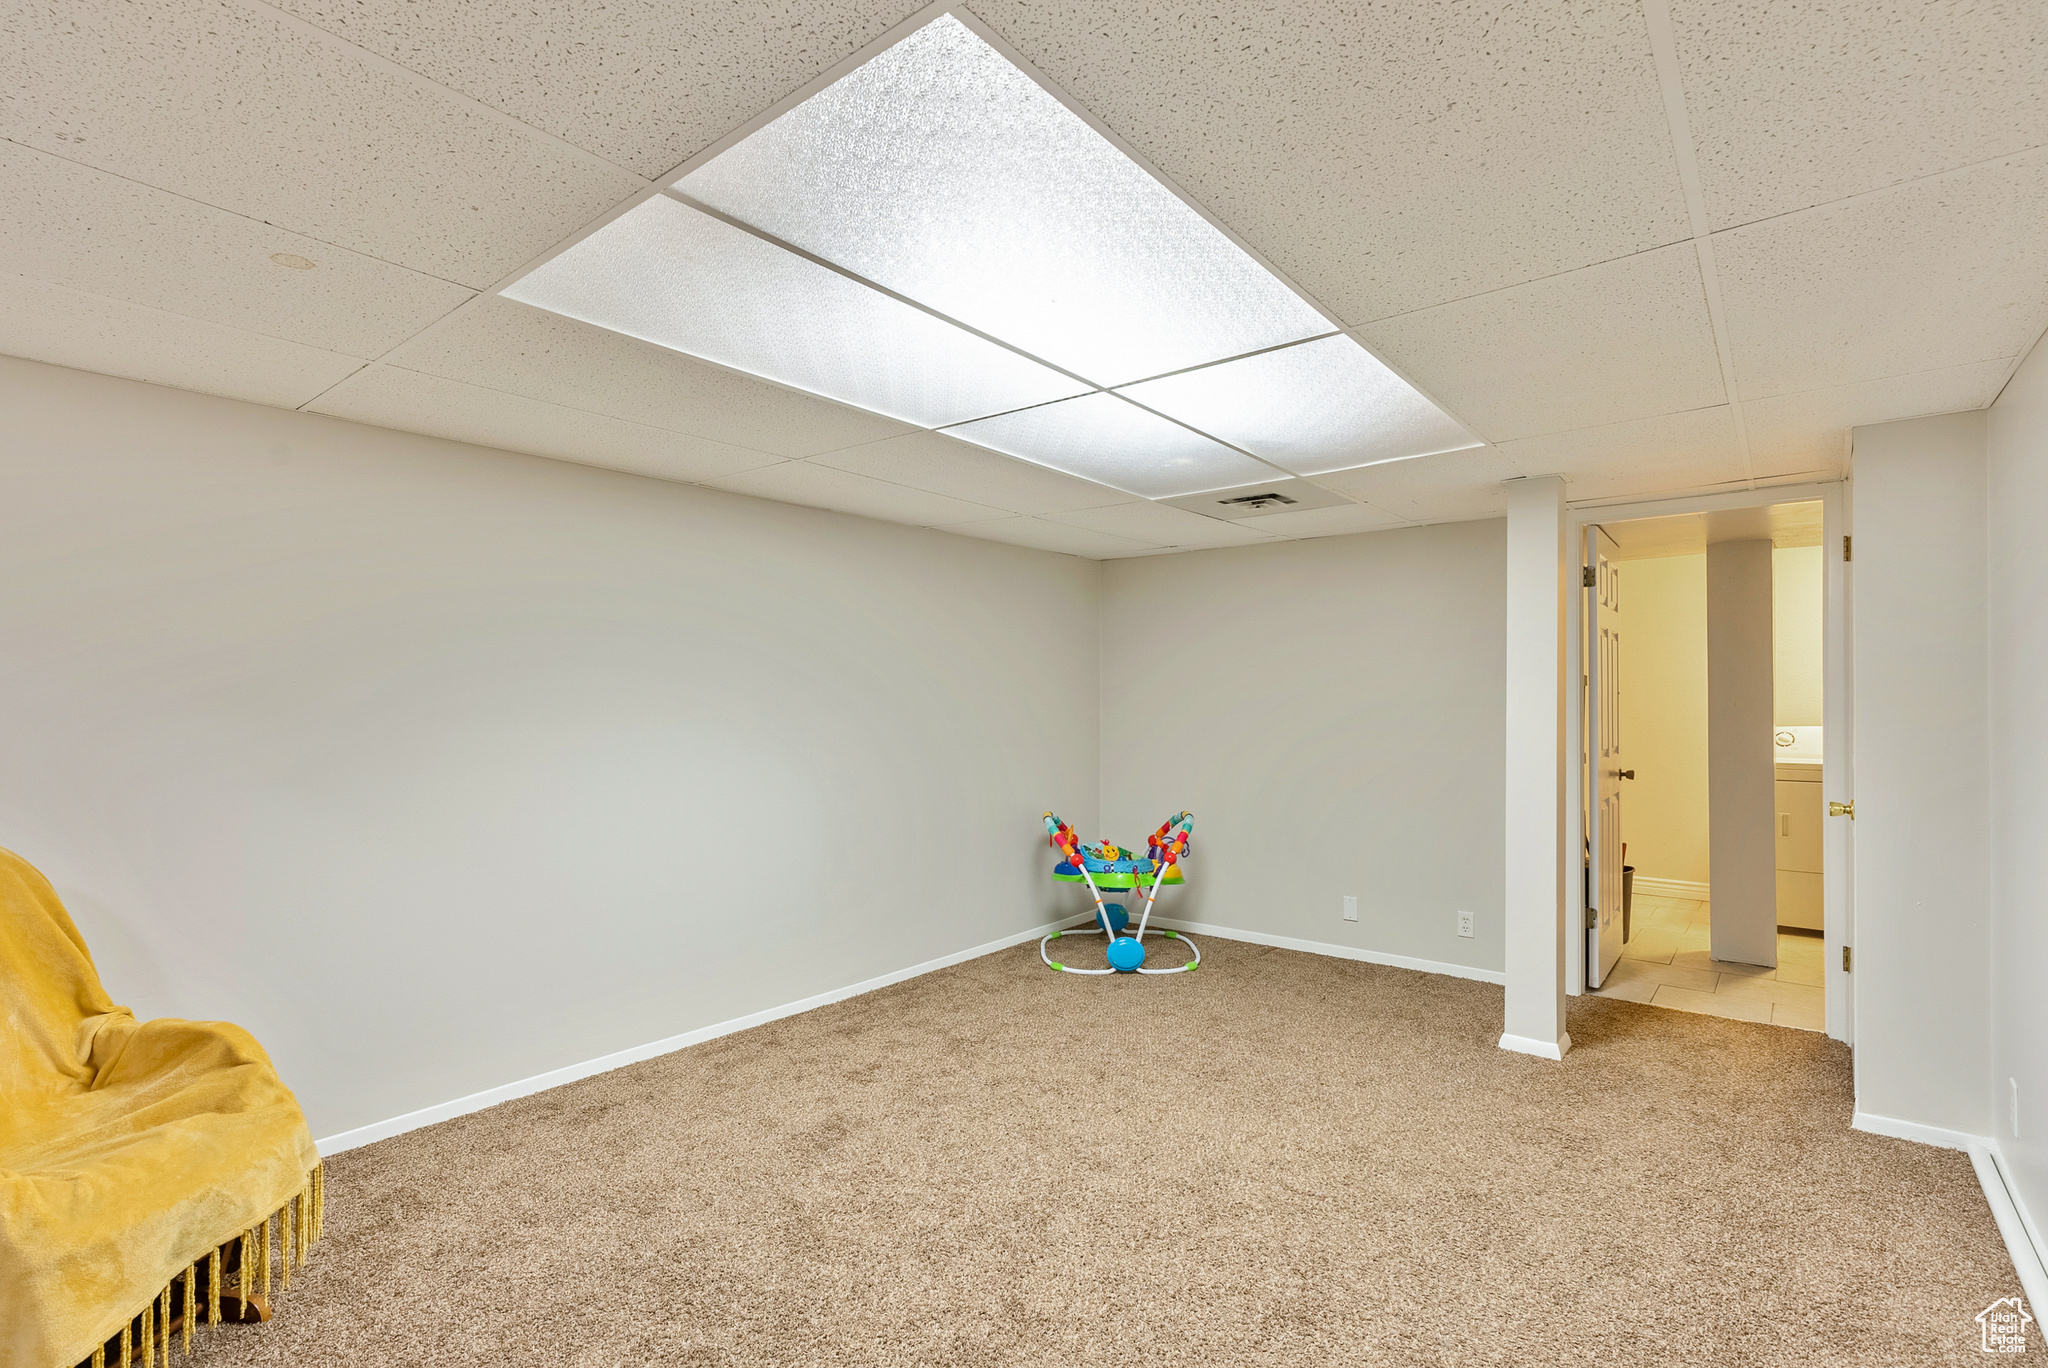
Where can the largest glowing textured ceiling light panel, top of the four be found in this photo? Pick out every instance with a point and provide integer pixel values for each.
(949, 175)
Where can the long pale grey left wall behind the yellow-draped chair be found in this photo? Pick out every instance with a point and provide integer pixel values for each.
(441, 767)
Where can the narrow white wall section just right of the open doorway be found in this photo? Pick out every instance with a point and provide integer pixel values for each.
(1922, 775)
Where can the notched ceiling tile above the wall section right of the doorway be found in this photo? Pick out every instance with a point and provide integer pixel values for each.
(1809, 431)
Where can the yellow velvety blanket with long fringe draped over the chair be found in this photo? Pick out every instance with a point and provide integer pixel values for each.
(138, 1160)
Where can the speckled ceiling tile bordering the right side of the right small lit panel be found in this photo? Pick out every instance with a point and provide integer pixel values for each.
(1617, 341)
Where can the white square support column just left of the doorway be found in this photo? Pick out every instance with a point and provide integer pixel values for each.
(1537, 865)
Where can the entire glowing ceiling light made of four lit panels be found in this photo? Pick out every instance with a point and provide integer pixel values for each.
(945, 175)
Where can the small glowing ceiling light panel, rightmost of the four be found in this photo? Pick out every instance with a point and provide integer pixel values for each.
(1312, 409)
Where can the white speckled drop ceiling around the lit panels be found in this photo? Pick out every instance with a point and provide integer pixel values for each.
(1654, 249)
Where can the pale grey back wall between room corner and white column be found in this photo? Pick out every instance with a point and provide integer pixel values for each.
(1332, 714)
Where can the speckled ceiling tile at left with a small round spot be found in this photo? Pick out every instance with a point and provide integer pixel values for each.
(75, 226)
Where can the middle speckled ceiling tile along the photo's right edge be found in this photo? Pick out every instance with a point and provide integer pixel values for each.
(1926, 277)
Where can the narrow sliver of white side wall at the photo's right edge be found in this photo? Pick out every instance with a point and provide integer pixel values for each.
(2018, 687)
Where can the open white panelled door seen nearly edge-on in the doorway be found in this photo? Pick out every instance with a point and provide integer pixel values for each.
(1605, 744)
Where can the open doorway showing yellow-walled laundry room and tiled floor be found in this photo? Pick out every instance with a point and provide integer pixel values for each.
(1711, 646)
